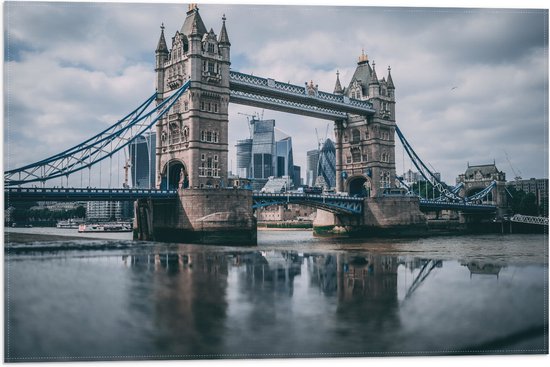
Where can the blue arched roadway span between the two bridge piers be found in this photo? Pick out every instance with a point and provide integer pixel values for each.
(331, 203)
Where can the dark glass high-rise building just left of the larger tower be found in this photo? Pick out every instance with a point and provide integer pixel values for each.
(141, 153)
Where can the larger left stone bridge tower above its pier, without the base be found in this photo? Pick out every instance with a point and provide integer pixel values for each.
(192, 137)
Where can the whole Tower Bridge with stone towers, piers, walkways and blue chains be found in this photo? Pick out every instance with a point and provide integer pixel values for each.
(189, 111)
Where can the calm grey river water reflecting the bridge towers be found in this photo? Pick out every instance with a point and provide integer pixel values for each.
(294, 295)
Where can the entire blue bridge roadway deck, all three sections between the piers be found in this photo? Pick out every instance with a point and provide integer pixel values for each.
(332, 203)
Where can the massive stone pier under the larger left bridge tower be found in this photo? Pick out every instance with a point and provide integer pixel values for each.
(209, 216)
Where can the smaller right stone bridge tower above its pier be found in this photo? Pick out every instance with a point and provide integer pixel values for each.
(365, 146)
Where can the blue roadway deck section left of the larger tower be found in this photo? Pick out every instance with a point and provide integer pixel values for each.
(12, 194)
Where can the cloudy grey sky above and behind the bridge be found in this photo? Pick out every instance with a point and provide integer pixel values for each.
(471, 84)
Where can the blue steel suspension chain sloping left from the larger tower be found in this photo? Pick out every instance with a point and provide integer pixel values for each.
(97, 148)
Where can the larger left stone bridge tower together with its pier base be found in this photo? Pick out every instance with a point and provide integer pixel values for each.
(191, 150)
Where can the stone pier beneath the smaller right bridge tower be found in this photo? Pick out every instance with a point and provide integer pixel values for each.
(382, 216)
